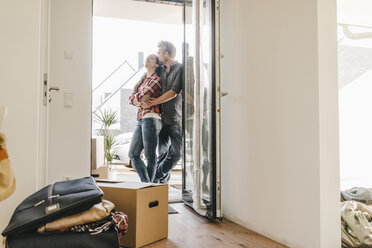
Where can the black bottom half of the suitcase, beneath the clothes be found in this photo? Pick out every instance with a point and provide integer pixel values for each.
(106, 239)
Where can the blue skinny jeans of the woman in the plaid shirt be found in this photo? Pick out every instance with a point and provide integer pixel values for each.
(146, 137)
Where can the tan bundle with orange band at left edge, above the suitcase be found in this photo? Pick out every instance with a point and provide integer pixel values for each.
(7, 179)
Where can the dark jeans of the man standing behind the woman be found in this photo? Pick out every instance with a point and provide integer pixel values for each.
(170, 151)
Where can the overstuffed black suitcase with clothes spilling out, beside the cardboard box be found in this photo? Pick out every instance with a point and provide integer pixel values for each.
(66, 214)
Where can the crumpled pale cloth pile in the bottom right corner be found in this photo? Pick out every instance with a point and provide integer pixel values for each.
(356, 217)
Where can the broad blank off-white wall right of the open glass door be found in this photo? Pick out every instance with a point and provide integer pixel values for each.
(280, 177)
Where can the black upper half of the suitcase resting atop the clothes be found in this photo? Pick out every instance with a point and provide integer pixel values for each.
(53, 202)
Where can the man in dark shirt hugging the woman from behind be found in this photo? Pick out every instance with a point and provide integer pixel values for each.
(170, 137)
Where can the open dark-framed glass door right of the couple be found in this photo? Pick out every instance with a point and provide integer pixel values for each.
(200, 174)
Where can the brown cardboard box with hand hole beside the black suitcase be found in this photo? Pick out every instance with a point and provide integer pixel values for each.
(145, 204)
